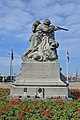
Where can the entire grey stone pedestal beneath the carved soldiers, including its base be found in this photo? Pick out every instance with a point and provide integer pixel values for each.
(40, 78)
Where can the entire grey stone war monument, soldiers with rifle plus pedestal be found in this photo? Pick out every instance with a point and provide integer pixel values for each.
(40, 71)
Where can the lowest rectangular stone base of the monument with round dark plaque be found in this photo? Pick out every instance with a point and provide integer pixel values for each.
(39, 91)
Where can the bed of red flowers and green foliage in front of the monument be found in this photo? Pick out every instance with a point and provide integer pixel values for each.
(28, 109)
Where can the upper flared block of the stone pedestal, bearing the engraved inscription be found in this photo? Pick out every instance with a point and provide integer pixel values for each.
(40, 72)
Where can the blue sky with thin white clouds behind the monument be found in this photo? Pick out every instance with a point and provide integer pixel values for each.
(16, 19)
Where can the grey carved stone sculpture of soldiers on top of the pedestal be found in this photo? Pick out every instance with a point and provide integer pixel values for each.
(43, 46)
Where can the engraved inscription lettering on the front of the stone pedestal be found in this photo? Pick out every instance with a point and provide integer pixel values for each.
(40, 70)
